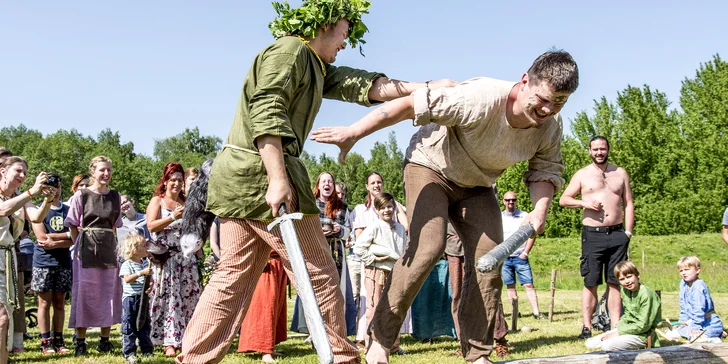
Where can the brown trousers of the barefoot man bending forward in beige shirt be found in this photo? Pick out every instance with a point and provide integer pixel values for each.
(475, 214)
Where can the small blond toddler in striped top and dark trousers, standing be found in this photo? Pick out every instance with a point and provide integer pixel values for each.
(132, 274)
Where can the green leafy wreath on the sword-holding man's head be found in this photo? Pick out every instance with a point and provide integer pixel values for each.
(314, 14)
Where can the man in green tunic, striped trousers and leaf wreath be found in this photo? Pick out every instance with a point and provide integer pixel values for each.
(259, 168)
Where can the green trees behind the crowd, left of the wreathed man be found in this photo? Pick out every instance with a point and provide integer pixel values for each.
(68, 153)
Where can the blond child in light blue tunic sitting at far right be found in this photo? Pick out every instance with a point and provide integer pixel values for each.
(697, 311)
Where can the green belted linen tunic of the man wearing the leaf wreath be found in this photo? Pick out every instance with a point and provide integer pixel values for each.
(281, 96)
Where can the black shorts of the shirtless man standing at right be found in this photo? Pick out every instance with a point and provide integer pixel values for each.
(601, 249)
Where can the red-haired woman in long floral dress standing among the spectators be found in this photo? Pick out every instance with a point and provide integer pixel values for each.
(176, 286)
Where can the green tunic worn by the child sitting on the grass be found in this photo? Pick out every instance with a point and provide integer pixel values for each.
(642, 312)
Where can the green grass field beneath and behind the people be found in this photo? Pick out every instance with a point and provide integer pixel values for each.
(545, 339)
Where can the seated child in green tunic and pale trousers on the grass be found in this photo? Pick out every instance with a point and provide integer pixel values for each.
(642, 314)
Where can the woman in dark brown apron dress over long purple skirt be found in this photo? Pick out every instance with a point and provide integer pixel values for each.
(93, 217)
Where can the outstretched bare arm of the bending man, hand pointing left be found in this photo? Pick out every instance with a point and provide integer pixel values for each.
(386, 115)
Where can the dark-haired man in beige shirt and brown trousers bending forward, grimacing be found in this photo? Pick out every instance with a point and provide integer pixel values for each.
(470, 134)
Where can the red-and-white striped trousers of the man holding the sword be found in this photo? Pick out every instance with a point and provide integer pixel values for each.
(245, 248)
